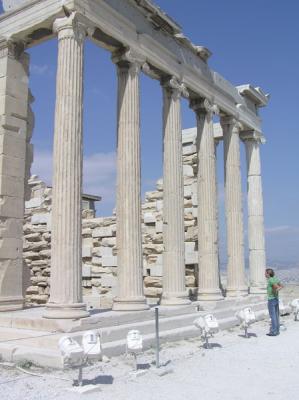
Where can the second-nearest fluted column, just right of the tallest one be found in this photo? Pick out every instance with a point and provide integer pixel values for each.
(128, 204)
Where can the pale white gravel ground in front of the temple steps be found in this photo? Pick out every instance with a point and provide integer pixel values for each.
(237, 368)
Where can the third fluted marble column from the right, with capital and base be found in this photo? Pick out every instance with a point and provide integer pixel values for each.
(207, 219)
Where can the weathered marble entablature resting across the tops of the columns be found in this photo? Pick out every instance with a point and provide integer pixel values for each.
(129, 24)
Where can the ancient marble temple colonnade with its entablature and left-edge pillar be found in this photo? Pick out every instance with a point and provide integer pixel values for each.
(141, 39)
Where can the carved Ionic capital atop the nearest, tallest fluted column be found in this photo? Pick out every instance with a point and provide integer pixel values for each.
(70, 27)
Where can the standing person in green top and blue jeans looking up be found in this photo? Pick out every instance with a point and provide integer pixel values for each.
(273, 287)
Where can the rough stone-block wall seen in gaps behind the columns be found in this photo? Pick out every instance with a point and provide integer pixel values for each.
(99, 255)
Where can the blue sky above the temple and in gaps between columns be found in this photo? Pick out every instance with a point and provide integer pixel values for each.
(252, 42)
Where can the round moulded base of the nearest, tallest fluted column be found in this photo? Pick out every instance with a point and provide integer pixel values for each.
(65, 311)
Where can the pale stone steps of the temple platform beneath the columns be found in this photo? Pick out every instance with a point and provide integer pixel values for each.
(41, 347)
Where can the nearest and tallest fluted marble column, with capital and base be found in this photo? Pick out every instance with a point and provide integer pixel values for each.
(66, 262)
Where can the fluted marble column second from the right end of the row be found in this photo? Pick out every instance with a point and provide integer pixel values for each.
(236, 282)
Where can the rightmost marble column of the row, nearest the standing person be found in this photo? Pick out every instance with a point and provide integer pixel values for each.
(256, 236)
